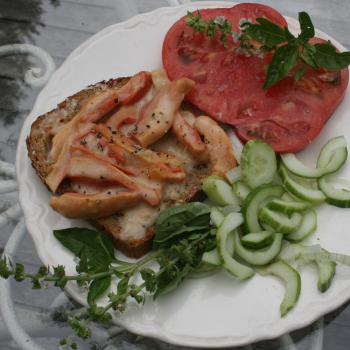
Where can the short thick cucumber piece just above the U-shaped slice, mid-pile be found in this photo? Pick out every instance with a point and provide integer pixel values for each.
(279, 221)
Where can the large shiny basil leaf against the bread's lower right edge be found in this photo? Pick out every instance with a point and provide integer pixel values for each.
(172, 219)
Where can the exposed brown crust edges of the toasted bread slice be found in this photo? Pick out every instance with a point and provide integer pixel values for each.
(39, 143)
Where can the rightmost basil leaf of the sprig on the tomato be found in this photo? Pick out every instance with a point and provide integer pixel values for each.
(327, 57)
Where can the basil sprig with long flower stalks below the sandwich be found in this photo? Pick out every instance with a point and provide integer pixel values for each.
(182, 235)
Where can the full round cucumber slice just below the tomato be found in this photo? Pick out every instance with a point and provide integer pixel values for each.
(258, 162)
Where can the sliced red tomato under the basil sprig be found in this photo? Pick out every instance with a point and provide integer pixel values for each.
(229, 86)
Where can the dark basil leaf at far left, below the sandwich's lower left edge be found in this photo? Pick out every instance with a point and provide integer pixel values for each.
(75, 238)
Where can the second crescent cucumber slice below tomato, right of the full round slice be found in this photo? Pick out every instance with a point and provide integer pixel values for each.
(298, 190)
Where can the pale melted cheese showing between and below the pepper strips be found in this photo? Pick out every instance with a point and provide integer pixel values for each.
(135, 222)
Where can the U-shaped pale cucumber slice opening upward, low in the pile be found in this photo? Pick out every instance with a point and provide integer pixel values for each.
(262, 256)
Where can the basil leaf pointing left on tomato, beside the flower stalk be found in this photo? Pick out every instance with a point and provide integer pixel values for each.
(267, 32)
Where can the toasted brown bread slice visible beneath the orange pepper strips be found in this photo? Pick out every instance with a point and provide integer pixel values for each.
(115, 226)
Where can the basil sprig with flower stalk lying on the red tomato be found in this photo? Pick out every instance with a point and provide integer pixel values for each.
(289, 51)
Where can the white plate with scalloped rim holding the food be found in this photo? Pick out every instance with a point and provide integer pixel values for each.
(216, 311)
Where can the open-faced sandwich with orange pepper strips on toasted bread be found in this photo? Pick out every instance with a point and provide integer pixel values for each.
(120, 152)
